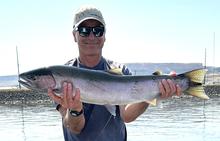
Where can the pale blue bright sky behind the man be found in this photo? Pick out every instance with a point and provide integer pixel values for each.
(137, 31)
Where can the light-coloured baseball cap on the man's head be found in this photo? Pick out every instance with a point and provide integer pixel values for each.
(87, 12)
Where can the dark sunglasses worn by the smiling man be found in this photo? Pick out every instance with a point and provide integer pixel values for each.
(85, 31)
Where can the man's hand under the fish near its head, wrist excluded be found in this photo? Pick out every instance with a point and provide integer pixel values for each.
(69, 99)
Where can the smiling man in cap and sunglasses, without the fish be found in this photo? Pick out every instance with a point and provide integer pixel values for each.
(83, 121)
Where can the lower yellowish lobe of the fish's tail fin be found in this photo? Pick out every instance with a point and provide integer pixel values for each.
(197, 91)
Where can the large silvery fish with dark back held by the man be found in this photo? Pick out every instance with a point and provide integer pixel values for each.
(107, 88)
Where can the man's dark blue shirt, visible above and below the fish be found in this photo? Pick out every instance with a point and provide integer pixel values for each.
(100, 125)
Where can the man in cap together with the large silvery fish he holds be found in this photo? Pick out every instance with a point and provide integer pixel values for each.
(96, 96)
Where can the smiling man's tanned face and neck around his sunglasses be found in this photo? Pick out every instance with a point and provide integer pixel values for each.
(89, 45)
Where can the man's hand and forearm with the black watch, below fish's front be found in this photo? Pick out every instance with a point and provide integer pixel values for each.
(69, 99)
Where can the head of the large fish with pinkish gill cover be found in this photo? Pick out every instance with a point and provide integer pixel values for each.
(39, 79)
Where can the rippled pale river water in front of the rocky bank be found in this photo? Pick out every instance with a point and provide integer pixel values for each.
(178, 119)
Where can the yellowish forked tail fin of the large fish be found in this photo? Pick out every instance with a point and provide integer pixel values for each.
(196, 78)
